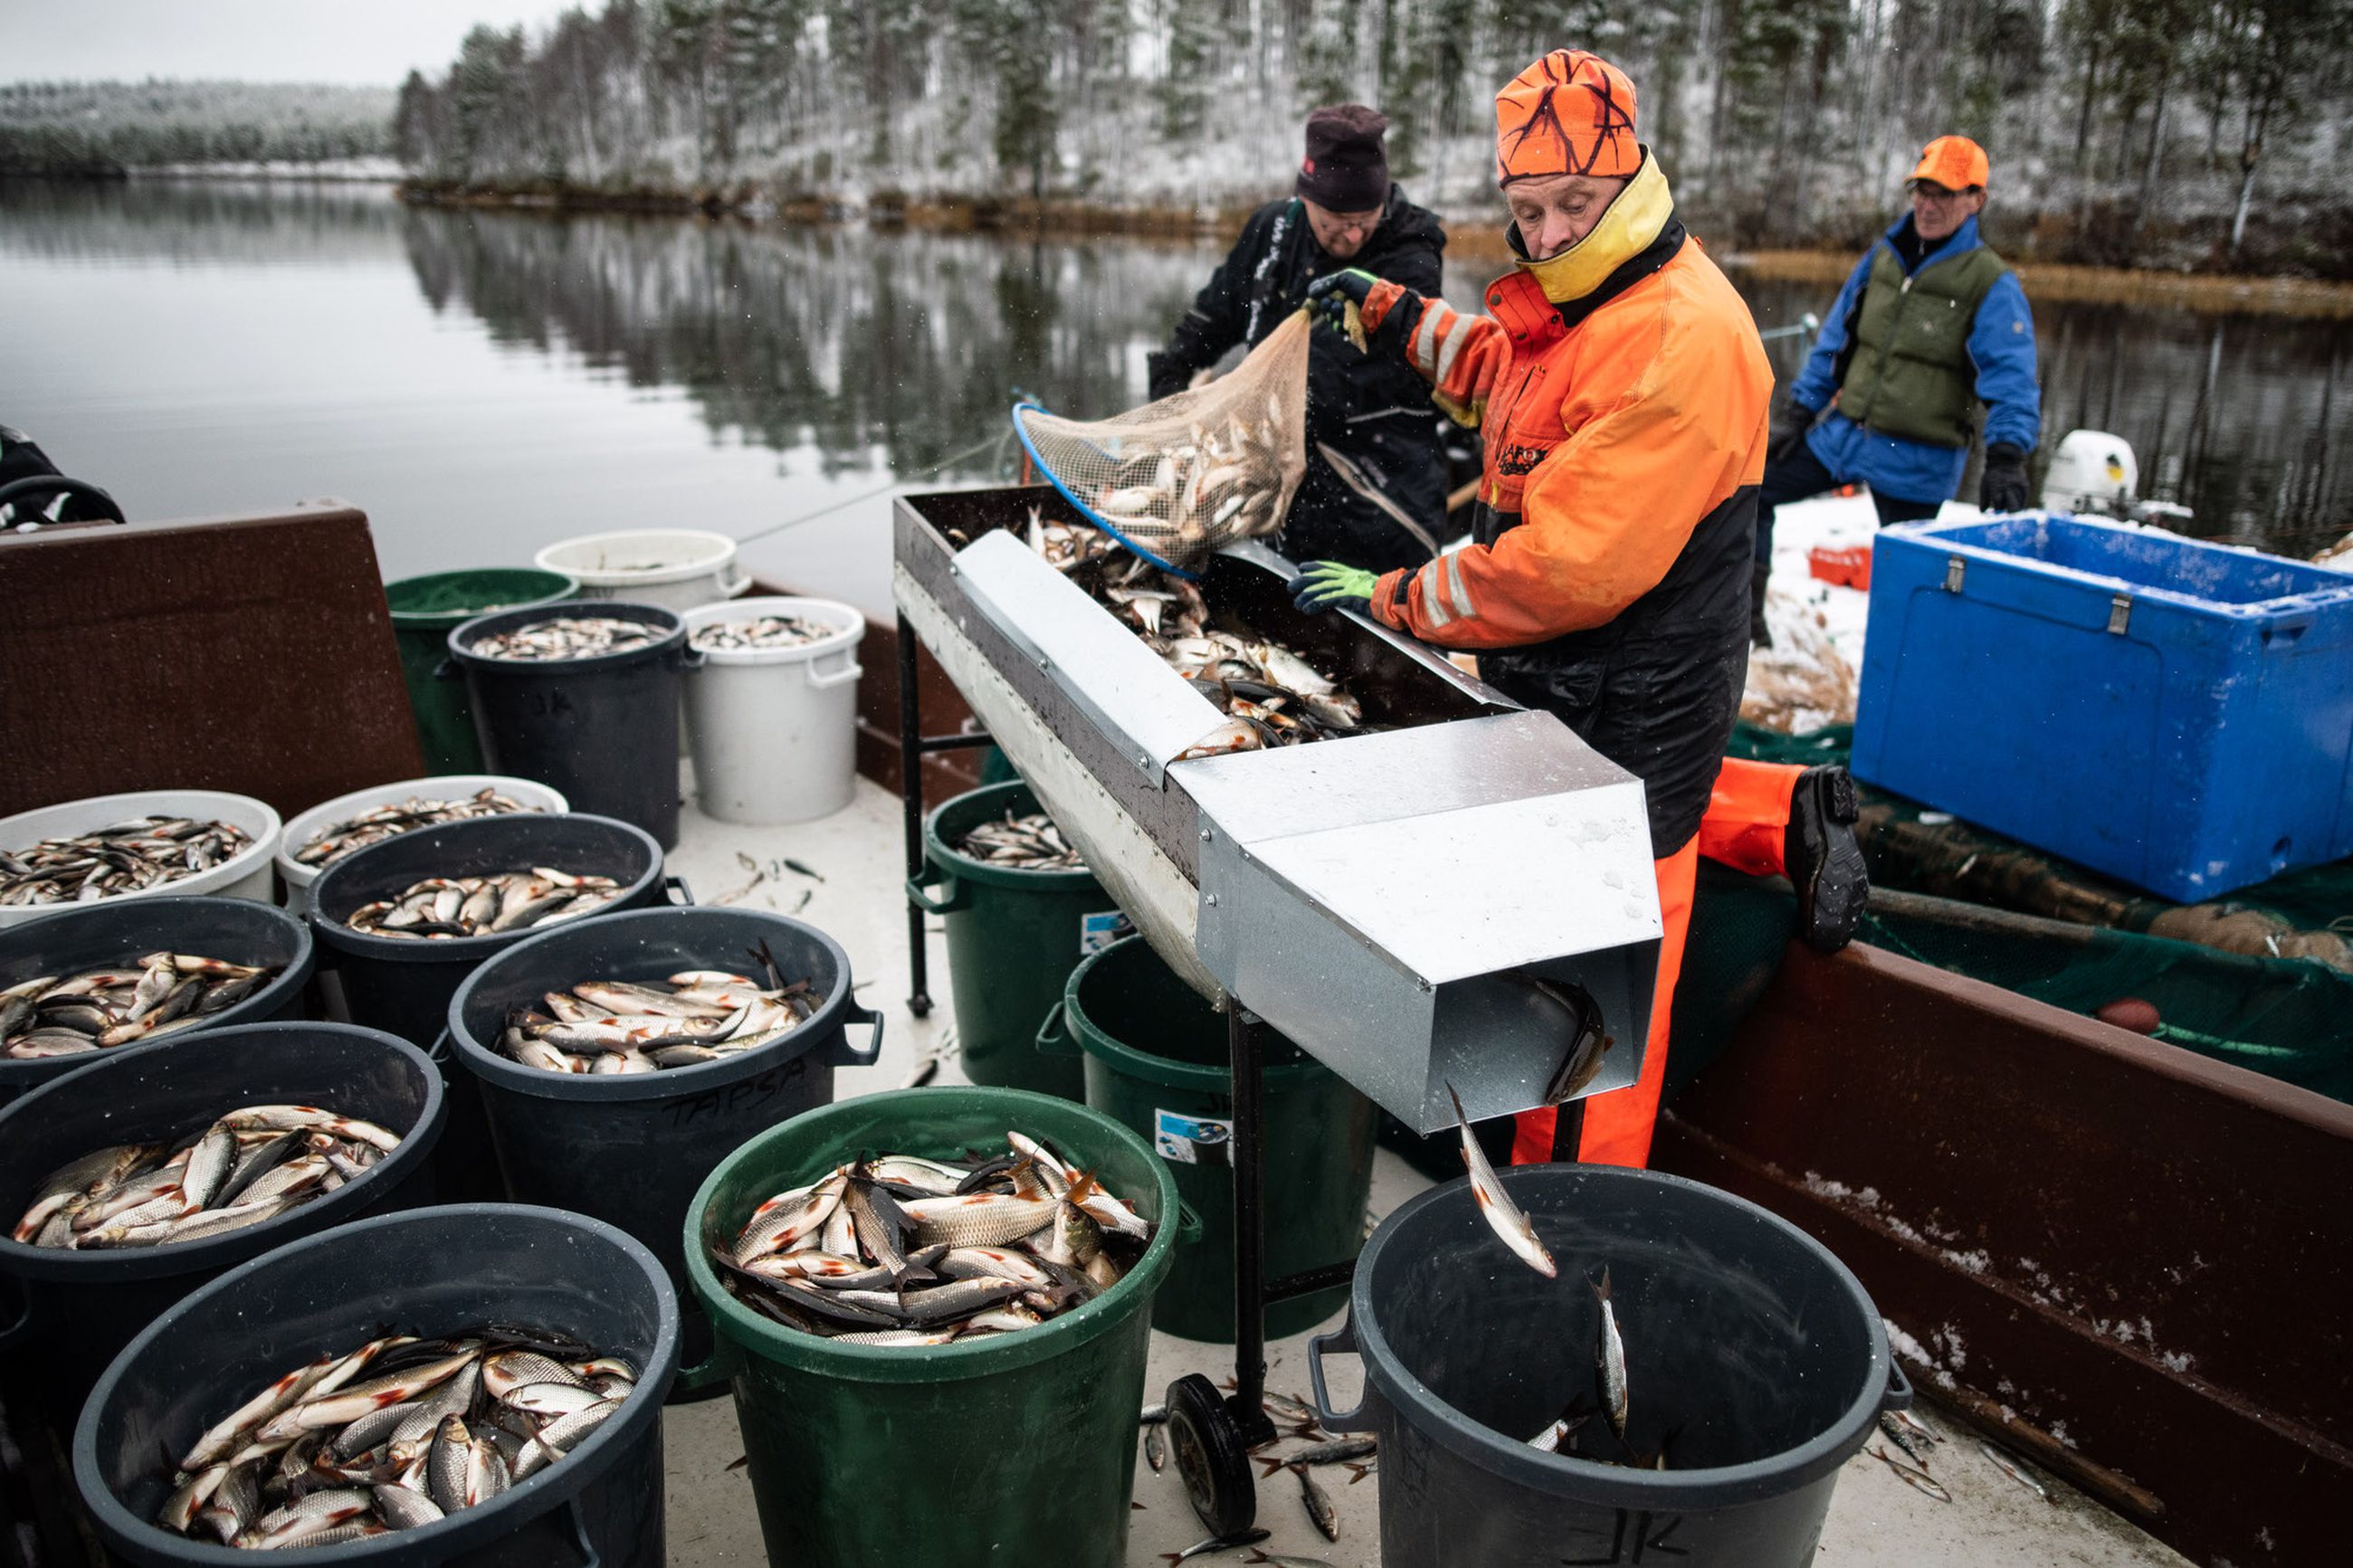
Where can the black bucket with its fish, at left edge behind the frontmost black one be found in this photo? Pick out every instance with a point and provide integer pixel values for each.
(138, 1179)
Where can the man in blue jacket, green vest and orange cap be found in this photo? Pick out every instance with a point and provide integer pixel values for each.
(1928, 328)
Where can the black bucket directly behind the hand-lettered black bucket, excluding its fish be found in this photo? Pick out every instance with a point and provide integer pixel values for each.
(404, 986)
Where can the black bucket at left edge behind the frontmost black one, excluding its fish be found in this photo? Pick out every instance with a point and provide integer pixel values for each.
(88, 1306)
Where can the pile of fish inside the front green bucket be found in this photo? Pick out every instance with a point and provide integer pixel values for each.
(921, 1252)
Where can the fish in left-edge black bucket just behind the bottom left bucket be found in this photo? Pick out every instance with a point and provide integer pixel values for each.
(246, 1167)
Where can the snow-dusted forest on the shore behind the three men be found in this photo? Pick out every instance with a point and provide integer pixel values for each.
(2121, 130)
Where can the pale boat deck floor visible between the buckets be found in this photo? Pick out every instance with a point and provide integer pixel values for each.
(858, 855)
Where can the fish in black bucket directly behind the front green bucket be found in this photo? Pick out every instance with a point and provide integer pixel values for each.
(620, 1026)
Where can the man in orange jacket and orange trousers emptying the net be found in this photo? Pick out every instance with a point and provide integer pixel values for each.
(1625, 401)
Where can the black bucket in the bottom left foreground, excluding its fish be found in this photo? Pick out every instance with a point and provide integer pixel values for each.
(425, 1273)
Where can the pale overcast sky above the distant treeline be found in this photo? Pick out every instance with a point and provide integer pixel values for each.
(258, 41)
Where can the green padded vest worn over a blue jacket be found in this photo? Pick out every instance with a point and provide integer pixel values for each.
(1912, 373)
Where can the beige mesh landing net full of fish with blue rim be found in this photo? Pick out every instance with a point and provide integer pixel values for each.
(1197, 471)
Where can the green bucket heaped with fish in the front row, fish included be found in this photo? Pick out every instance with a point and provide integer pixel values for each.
(1025, 1355)
